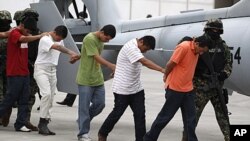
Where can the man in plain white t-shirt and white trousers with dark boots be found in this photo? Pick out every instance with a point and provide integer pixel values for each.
(49, 49)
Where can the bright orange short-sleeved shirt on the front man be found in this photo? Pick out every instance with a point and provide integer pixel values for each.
(180, 78)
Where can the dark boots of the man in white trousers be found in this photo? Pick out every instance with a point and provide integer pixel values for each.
(43, 127)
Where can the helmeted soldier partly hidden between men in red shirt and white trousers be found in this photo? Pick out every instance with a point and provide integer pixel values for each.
(32, 54)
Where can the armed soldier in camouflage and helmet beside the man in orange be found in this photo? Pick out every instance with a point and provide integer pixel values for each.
(222, 63)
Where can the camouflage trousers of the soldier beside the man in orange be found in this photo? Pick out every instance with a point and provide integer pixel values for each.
(202, 98)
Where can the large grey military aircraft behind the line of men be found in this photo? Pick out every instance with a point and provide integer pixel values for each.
(167, 30)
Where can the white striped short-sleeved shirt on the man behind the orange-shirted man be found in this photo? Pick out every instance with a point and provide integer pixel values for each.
(128, 70)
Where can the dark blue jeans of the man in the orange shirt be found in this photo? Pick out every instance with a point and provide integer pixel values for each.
(174, 101)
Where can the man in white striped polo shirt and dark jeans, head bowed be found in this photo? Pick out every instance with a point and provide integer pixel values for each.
(127, 87)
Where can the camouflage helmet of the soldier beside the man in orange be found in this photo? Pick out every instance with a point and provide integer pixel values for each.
(214, 24)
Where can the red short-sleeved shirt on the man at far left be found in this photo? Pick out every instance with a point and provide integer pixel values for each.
(17, 55)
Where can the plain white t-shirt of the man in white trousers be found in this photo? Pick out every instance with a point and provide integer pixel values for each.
(46, 55)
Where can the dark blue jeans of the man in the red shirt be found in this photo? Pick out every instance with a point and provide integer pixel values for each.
(17, 90)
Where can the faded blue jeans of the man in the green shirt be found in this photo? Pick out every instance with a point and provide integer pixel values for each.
(91, 103)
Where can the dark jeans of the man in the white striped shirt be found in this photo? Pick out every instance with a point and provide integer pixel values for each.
(137, 104)
